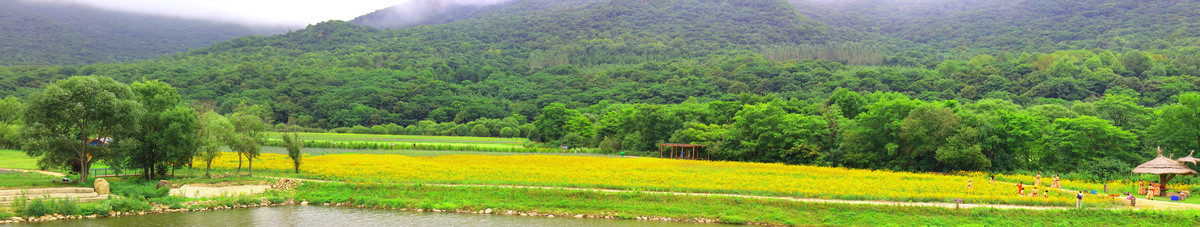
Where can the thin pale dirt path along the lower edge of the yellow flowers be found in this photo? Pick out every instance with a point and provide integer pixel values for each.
(938, 205)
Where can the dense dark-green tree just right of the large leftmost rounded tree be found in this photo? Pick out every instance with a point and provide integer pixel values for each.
(166, 138)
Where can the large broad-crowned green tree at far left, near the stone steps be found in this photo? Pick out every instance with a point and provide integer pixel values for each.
(64, 117)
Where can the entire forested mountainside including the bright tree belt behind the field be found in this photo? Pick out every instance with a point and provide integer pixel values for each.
(916, 86)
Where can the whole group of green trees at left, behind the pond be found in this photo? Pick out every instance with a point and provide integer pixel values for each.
(80, 122)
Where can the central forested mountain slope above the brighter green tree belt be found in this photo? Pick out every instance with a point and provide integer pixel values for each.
(526, 55)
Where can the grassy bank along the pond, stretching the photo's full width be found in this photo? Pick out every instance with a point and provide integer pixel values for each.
(639, 206)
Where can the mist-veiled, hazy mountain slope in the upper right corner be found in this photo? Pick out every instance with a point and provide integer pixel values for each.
(1021, 26)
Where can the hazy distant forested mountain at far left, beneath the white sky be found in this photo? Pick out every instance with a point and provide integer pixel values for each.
(63, 34)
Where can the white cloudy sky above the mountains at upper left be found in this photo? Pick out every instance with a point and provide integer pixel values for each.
(296, 14)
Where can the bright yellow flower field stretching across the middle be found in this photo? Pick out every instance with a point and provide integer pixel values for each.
(656, 175)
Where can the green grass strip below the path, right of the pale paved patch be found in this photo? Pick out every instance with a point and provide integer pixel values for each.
(728, 210)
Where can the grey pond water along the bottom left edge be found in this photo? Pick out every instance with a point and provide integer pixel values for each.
(332, 217)
